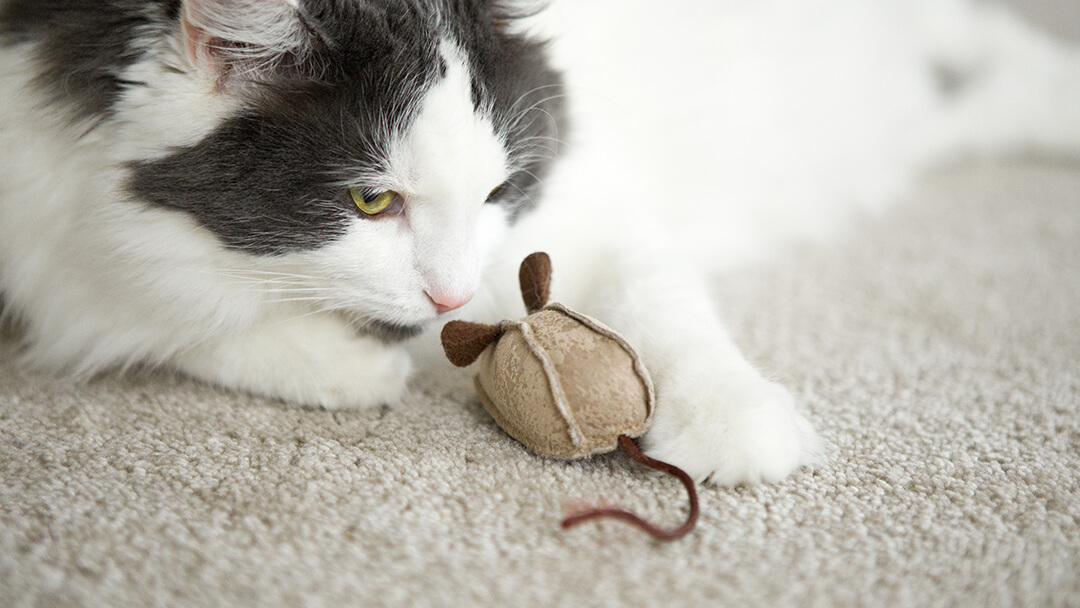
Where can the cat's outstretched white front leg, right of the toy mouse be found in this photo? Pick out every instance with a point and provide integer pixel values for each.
(718, 417)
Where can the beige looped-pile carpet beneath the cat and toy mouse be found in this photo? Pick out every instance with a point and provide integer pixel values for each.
(935, 347)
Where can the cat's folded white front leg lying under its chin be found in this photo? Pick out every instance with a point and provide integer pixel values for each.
(316, 361)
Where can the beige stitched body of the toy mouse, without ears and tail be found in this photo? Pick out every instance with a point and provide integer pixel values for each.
(565, 385)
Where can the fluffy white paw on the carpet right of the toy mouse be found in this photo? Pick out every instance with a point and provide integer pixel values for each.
(731, 430)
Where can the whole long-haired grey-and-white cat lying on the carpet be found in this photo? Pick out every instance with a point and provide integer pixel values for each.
(289, 197)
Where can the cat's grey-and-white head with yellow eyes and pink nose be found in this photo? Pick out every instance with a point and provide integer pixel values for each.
(374, 152)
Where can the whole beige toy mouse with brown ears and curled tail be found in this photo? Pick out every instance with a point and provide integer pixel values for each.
(564, 385)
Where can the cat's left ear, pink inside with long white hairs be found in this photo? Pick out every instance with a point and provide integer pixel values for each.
(242, 40)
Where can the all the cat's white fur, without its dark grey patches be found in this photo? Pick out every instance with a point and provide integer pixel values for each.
(811, 110)
